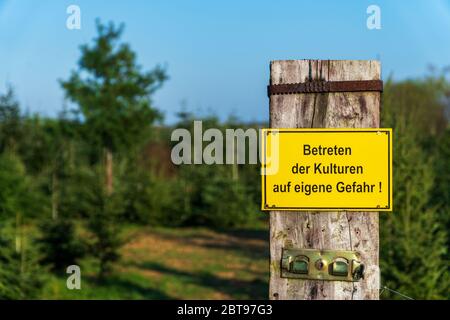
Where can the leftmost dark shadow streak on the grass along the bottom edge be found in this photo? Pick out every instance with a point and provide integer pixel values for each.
(127, 289)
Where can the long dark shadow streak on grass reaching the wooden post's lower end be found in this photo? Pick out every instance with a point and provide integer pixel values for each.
(238, 289)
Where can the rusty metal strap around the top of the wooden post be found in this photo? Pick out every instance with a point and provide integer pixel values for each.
(325, 86)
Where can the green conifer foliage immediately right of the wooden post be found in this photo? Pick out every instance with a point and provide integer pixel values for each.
(413, 241)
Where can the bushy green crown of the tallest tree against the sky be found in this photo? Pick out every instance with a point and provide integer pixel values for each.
(112, 92)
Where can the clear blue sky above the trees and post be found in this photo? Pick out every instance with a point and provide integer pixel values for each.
(217, 52)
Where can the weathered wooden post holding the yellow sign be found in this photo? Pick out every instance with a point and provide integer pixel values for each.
(324, 230)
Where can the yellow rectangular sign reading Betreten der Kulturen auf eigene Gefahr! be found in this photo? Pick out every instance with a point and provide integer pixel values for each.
(327, 169)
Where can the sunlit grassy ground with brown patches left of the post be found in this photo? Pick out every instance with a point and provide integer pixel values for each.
(193, 263)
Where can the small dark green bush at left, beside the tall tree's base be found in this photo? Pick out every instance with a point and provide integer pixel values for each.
(59, 244)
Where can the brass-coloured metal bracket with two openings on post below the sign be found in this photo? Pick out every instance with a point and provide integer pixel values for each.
(333, 265)
